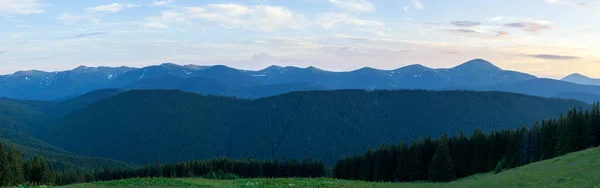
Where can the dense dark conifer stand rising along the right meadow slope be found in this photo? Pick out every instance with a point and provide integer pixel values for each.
(452, 157)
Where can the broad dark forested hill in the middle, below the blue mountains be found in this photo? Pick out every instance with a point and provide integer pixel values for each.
(141, 126)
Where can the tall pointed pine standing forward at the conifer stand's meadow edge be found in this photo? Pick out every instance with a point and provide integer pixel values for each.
(442, 169)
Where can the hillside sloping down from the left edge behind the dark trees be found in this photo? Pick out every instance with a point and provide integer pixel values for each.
(59, 158)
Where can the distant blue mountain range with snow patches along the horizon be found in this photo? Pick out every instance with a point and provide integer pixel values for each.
(476, 74)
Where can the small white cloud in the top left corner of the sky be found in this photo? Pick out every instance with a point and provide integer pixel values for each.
(20, 7)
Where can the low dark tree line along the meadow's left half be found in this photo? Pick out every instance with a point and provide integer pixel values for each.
(16, 170)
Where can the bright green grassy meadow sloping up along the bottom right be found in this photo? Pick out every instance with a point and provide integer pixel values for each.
(581, 169)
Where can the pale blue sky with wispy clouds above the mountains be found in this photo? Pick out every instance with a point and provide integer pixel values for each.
(547, 38)
